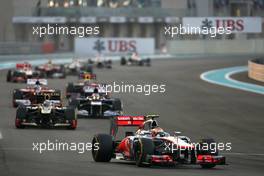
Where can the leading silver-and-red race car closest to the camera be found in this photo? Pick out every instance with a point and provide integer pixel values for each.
(150, 145)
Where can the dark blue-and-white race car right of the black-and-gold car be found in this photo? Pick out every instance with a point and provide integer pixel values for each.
(96, 105)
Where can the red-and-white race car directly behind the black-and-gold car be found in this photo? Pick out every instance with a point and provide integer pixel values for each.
(36, 92)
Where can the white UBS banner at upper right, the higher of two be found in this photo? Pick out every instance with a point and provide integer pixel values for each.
(237, 24)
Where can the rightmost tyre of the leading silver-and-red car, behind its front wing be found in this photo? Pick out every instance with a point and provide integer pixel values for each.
(209, 151)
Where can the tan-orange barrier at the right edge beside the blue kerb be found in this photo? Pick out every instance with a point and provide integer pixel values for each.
(256, 69)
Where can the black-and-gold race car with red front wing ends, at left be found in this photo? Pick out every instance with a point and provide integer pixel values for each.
(46, 114)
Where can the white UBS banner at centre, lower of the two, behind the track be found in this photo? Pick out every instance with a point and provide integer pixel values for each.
(114, 46)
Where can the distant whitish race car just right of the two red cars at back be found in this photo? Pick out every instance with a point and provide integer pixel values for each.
(76, 67)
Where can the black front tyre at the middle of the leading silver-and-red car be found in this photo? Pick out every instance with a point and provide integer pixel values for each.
(143, 148)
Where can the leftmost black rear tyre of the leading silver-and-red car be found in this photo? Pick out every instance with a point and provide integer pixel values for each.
(102, 148)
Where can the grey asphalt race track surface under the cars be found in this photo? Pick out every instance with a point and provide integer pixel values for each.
(194, 107)
